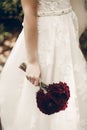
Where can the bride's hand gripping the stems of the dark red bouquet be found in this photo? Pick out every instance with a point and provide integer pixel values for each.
(33, 73)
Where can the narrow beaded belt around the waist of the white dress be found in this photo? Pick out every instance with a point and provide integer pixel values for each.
(52, 13)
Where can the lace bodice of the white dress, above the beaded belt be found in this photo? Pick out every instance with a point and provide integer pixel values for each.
(46, 6)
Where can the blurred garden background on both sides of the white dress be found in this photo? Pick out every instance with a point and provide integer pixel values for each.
(11, 18)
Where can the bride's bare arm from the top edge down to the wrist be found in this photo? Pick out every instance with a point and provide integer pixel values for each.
(30, 8)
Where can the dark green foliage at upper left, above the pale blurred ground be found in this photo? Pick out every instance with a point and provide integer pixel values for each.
(11, 17)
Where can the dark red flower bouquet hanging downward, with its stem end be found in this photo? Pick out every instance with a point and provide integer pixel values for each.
(51, 98)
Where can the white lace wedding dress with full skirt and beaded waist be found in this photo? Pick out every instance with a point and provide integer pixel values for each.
(60, 59)
